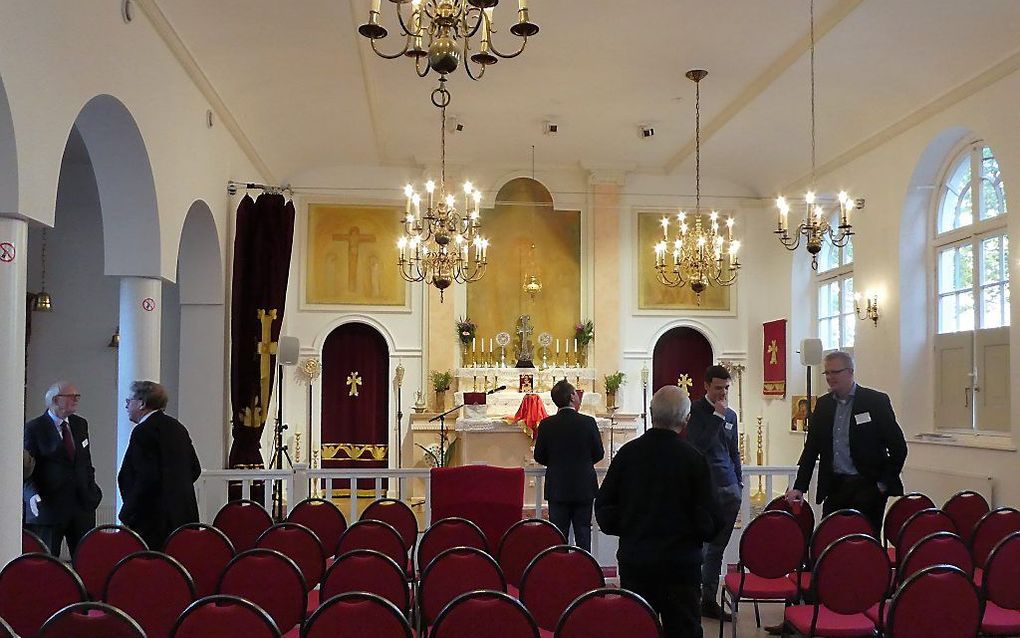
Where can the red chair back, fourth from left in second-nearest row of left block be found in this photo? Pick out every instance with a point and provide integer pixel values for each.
(369, 571)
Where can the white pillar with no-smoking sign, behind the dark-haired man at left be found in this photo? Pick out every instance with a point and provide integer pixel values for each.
(138, 357)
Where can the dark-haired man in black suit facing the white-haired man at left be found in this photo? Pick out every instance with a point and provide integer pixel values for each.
(160, 470)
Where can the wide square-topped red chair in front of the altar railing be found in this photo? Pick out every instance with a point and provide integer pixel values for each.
(491, 498)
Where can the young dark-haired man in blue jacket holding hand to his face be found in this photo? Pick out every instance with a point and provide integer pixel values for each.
(712, 430)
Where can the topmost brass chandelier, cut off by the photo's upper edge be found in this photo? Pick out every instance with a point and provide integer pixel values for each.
(438, 34)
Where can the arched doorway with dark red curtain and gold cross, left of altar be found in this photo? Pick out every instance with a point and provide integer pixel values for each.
(355, 403)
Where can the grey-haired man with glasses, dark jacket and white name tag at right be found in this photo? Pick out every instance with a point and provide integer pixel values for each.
(861, 446)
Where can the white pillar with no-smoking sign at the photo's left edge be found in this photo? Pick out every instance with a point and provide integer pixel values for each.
(14, 278)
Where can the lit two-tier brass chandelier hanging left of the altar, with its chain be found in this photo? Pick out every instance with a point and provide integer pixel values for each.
(442, 247)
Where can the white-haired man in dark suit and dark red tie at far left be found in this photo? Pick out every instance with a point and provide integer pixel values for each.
(61, 497)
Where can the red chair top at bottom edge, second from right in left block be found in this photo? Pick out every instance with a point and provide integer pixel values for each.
(490, 614)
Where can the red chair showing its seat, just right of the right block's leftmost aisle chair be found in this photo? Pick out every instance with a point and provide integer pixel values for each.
(852, 576)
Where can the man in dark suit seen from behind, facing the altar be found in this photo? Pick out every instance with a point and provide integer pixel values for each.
(569, 446)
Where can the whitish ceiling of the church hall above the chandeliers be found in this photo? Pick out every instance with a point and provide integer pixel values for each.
(309, 92)
